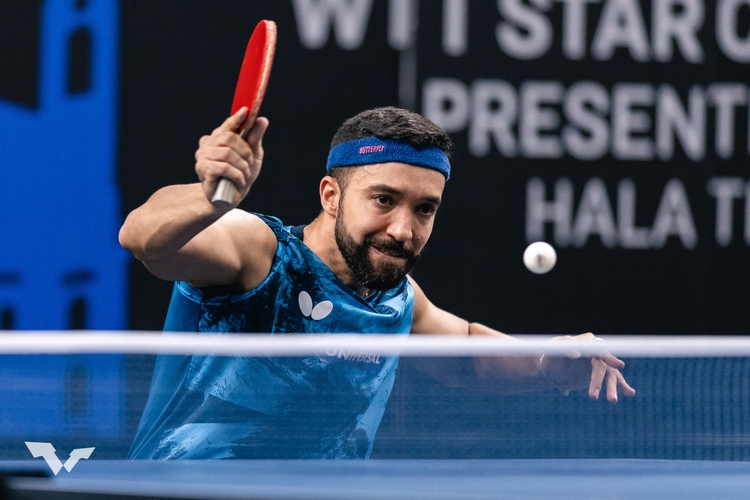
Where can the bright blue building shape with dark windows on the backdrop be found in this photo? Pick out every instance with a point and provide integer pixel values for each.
(61, 265)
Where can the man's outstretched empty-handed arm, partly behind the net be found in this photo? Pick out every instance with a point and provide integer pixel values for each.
(514, 374)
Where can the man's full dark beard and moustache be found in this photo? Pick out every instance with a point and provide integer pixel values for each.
(381, 276)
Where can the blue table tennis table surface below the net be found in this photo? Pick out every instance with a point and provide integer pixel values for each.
(610, 479)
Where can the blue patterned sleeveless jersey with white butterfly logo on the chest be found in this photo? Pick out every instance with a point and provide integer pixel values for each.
(326, 406)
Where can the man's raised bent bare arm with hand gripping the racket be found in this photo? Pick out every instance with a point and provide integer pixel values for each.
(179, 235)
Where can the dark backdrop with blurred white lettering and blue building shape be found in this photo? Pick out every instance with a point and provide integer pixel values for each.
(616, 130)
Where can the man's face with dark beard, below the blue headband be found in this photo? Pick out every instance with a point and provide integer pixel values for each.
(385, 217)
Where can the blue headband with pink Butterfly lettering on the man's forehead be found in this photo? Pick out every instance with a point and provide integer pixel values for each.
(372, 150)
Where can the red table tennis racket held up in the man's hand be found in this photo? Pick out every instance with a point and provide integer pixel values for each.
(251, 86)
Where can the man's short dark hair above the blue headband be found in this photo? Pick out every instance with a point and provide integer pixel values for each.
(389, 123)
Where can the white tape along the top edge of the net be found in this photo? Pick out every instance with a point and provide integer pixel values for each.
(79, 342)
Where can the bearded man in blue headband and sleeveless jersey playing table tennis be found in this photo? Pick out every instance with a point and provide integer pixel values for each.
(344, 272)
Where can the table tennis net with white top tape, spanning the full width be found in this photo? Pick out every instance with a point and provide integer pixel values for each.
(89, 389)
